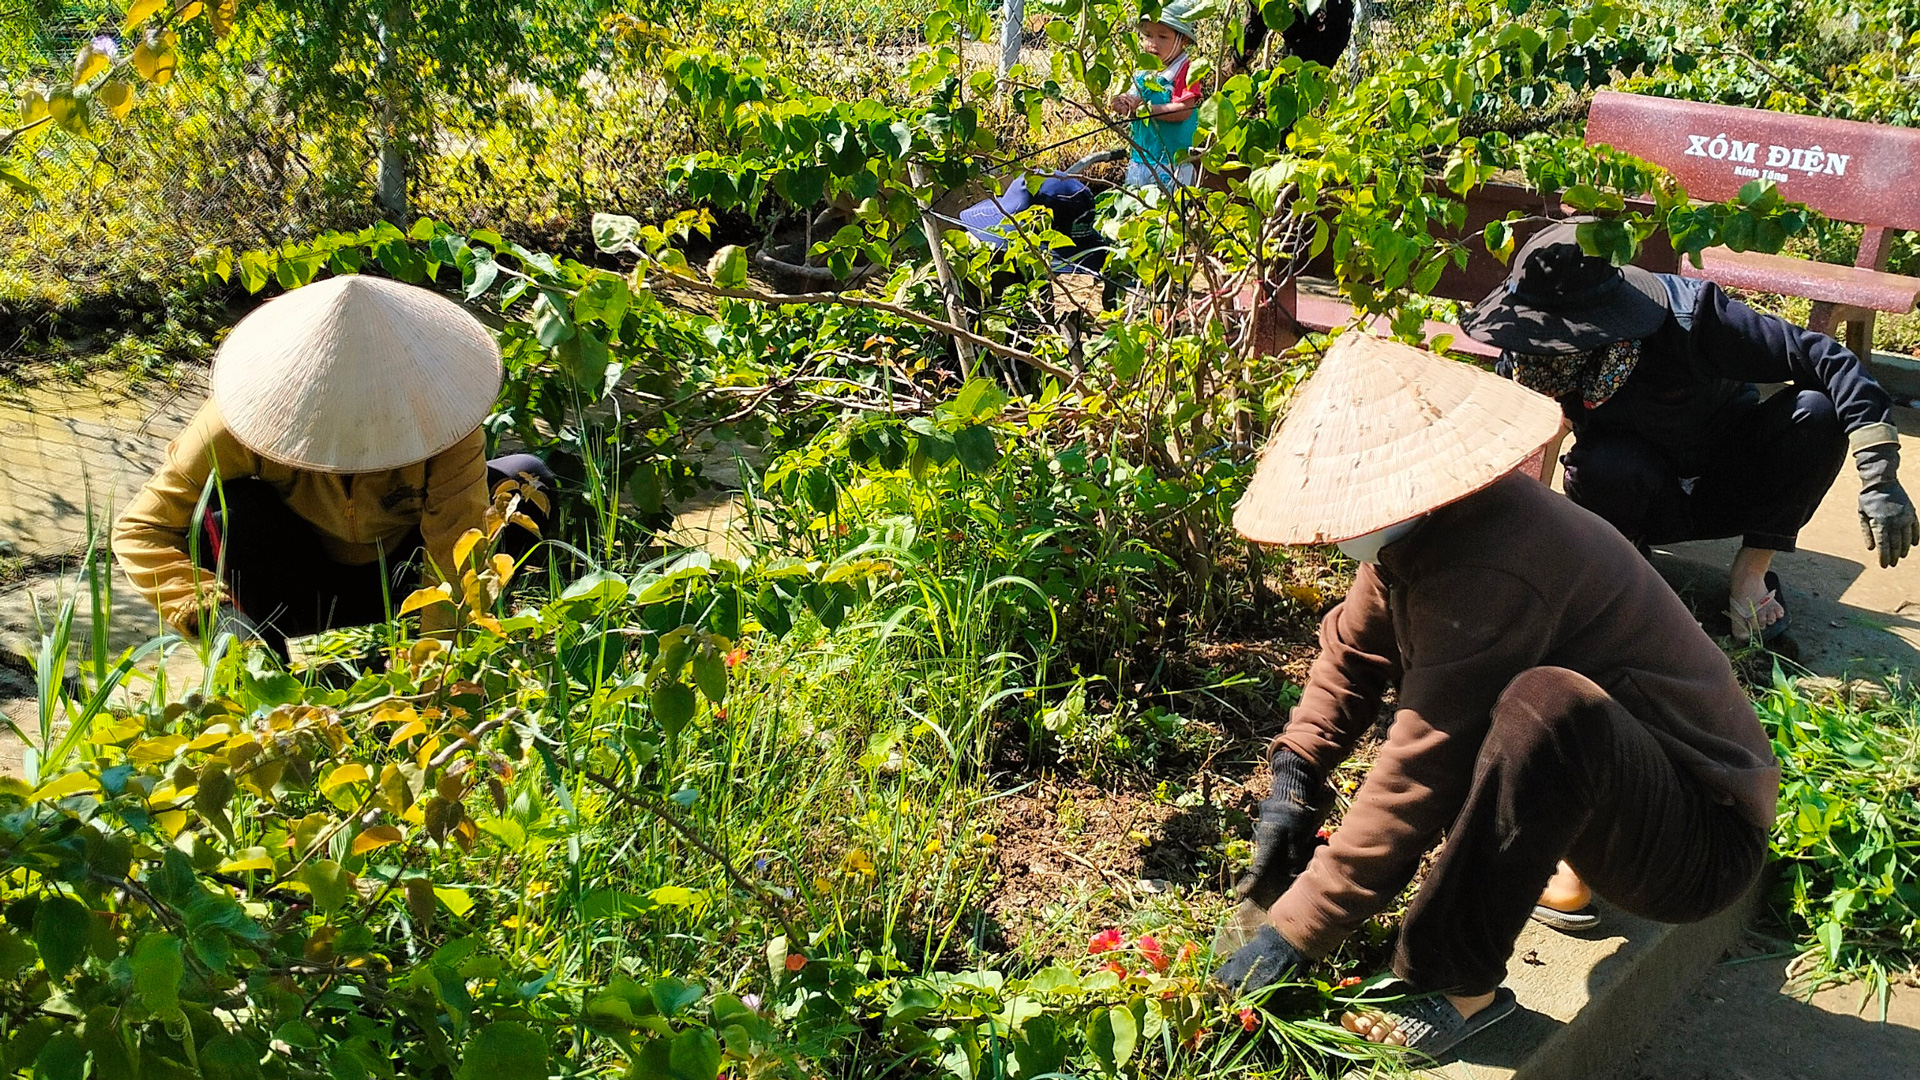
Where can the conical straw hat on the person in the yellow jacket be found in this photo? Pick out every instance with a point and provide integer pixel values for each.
(356, 376)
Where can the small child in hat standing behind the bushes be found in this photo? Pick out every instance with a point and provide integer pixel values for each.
(1164, 134)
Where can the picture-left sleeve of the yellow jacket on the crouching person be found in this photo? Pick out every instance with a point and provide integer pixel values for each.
(151, 539)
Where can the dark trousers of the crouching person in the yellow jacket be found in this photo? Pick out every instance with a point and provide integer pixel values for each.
(279, 574)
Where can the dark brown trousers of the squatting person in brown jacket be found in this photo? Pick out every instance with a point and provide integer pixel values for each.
(1570, 773)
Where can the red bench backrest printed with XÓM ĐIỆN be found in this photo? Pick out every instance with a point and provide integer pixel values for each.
(1854, 172)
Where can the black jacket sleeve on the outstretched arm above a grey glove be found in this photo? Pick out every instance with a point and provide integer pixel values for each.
(1739, 343)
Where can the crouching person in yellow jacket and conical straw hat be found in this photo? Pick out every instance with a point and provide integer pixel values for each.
(343, 437)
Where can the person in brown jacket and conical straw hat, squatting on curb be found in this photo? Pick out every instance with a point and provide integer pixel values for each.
(1556, 700)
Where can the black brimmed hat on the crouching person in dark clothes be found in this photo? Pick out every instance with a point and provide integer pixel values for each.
(1562, 301)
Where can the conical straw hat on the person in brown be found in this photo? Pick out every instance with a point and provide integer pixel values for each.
(1385, 433)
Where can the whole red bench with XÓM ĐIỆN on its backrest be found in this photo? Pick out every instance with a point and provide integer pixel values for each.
(1863, 174)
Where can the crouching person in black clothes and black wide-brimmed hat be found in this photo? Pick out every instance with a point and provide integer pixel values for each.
(1673, 441)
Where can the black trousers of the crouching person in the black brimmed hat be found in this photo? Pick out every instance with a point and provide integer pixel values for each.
(1762, 483)
